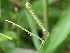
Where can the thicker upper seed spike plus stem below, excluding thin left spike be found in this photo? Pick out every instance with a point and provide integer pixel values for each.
(28, 6)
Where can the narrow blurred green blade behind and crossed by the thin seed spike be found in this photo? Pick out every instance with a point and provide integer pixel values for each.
(33, 29)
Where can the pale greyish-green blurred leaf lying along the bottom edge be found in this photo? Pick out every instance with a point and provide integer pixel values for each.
(19, 50)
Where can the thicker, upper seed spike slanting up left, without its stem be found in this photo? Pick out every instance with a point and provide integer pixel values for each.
(28, 6)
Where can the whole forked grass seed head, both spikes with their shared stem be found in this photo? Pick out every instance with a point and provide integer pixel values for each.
(28, 6)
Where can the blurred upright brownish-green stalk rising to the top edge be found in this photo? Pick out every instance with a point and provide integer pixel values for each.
(45, 16)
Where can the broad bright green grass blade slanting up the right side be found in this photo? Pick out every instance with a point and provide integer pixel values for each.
(58, 34)
